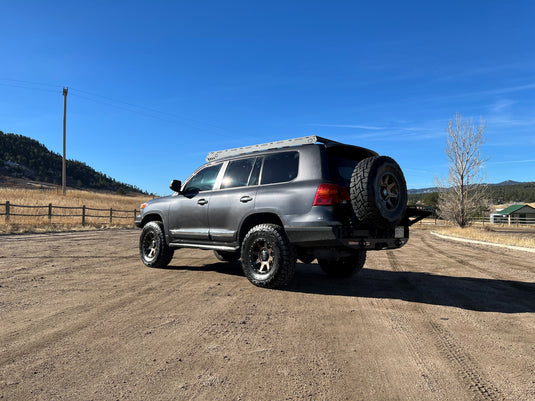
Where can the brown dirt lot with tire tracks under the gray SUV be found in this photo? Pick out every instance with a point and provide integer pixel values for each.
(82, 318)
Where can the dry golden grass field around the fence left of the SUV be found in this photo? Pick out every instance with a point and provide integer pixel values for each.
(61, 220)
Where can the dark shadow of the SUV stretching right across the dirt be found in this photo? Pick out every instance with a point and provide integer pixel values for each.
(478, 294)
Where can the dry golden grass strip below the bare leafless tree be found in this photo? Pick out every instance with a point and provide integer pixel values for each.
(520, 237)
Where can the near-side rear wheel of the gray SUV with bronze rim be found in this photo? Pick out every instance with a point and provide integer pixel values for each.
(268, 259)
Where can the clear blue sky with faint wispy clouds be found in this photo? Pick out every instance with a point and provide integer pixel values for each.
(154, 86)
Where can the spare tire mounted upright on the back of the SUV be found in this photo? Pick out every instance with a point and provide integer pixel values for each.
(378, 192)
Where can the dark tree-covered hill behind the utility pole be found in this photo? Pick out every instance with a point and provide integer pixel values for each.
(23, 159)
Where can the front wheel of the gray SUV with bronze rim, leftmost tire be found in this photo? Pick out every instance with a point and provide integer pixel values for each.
(153, 249)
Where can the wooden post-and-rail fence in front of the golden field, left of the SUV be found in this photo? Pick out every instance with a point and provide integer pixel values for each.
(50, 211)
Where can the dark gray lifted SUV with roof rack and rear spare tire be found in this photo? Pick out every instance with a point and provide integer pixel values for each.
(271, 204)
